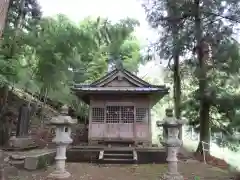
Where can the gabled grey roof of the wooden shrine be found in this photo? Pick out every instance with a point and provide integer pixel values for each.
(136, 86)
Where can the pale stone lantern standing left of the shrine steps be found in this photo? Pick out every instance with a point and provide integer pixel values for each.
(62, 139)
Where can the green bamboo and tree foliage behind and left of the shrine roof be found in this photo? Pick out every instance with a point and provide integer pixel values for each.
(47, 55)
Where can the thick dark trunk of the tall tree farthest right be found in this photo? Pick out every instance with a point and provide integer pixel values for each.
(204, 104)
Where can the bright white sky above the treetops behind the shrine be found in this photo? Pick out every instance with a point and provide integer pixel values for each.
(76, 10)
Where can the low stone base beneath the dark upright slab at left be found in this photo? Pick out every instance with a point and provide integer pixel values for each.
(20, 143)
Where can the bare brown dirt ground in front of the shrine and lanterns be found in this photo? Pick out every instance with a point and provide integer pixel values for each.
(85, 171)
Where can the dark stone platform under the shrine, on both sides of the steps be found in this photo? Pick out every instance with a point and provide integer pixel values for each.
(145, 155)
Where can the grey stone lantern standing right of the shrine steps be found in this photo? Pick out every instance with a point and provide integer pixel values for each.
(171, 127)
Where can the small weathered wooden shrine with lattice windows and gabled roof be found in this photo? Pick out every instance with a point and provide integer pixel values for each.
(119, 108)
